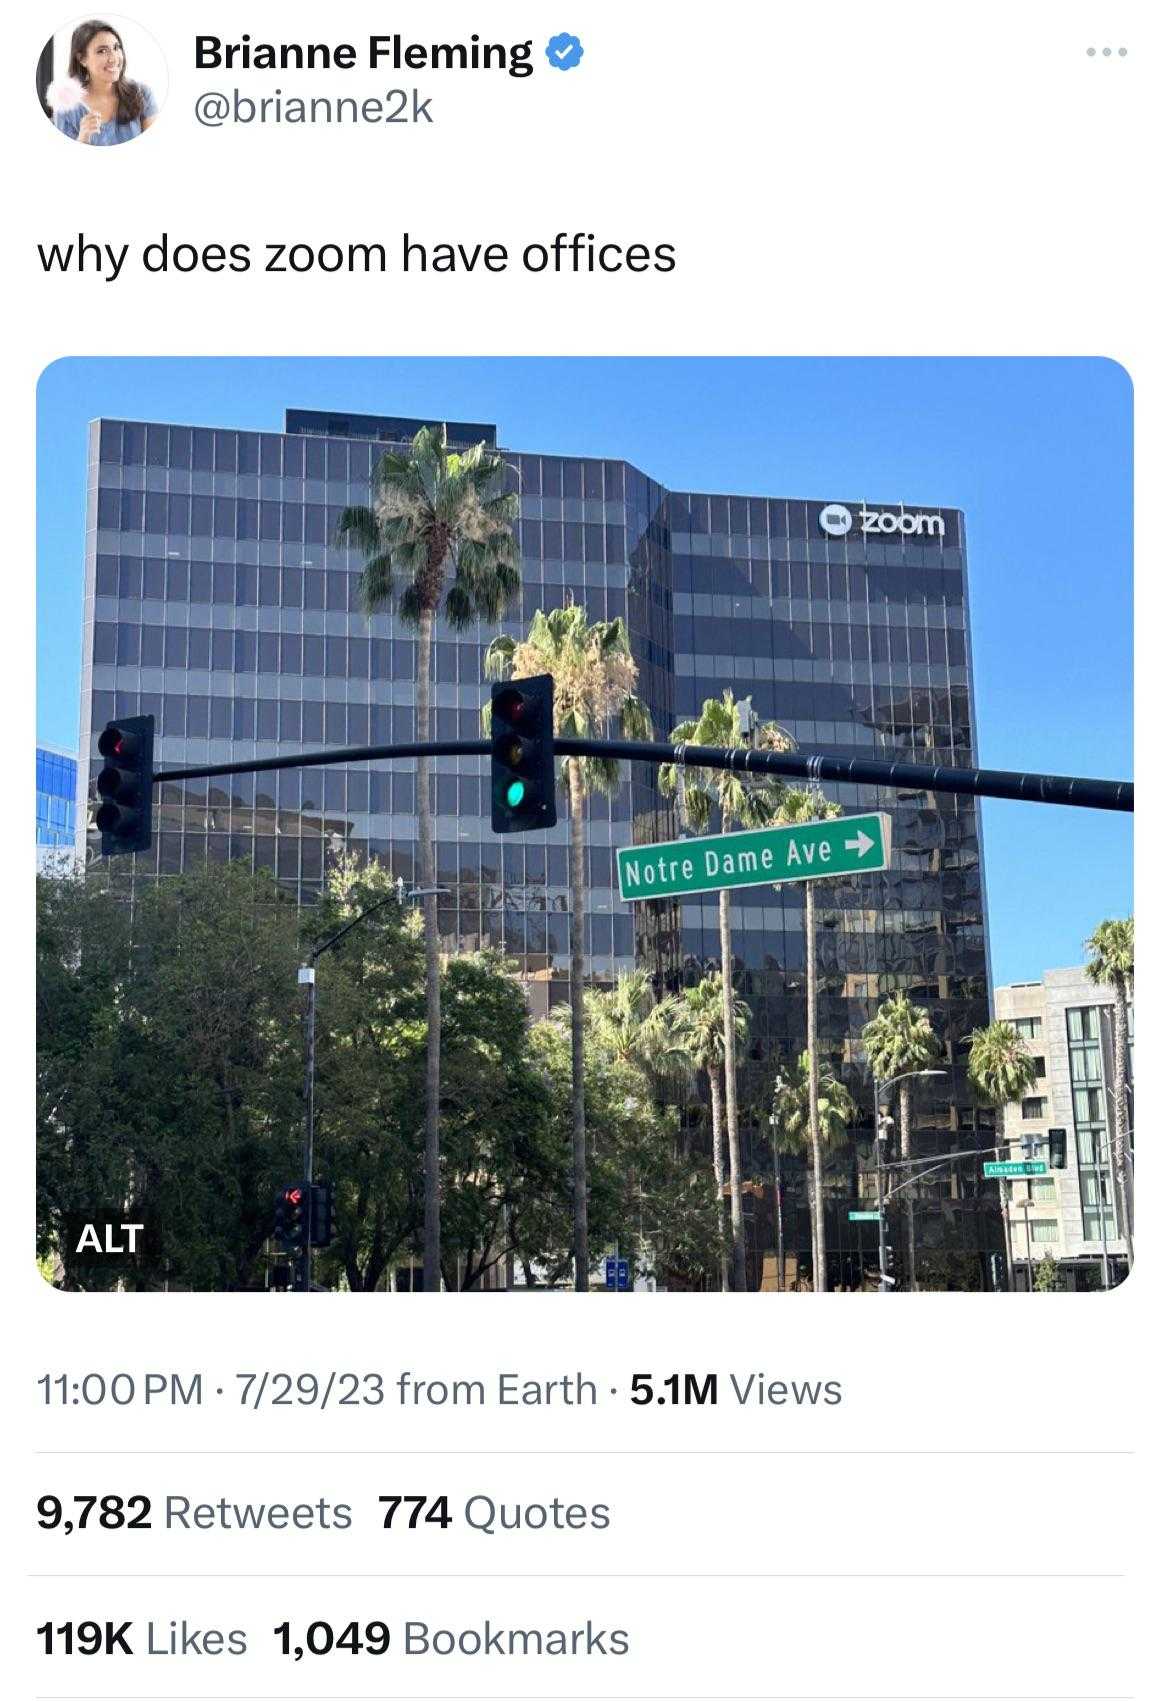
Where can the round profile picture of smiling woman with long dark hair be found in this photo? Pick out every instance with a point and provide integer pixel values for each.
(101, 81)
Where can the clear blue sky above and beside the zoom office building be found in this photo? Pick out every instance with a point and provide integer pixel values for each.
(1039, 453)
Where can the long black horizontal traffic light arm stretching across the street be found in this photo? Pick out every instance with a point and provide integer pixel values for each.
(1069, 790)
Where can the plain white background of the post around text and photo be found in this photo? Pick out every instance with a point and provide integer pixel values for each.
(986, 1445)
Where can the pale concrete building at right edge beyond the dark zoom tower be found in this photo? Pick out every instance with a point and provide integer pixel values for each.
(1068, 1027)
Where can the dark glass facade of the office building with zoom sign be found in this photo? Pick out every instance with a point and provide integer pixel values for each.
(217, 603)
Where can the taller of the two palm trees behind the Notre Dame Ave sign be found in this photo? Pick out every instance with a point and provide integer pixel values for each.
(729, 800)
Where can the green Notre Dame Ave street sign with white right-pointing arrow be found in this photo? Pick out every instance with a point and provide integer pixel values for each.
(853, 845)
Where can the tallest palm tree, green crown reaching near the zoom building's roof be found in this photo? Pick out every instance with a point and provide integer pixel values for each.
(438, 538)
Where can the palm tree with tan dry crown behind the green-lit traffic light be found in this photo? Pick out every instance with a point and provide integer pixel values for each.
(593, 676)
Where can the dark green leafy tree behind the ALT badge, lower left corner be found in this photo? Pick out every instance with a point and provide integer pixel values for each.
(169, 1071)
